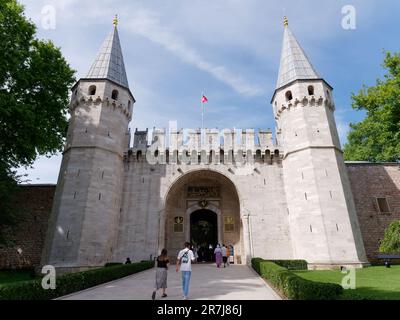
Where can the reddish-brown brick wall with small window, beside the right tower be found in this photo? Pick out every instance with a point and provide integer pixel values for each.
(368, 182)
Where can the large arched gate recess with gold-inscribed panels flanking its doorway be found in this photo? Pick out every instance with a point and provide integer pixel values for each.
(199, 200)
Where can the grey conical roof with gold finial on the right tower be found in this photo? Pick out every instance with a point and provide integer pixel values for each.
(294, 62)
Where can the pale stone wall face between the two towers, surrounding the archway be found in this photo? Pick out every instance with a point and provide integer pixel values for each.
(263, 216)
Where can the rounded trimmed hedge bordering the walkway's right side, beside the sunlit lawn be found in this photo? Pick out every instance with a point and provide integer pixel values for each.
(293, 286)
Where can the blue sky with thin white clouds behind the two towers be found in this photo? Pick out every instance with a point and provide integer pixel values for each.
(175, 49)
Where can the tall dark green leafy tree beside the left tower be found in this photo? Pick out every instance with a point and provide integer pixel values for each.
(34, 94)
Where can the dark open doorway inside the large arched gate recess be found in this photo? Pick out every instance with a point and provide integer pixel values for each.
(204, 233)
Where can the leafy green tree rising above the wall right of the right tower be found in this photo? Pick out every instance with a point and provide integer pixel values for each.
(377, 137)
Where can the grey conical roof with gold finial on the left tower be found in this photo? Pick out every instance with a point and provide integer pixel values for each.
(109, 62)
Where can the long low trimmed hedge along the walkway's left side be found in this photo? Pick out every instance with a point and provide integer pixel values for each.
(69, 283)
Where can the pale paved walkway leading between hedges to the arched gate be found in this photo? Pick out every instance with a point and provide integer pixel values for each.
(207, 283)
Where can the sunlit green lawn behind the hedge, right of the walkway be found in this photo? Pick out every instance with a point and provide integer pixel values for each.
(377, 283)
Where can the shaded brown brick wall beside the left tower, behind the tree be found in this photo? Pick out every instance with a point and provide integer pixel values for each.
(25, 242)
